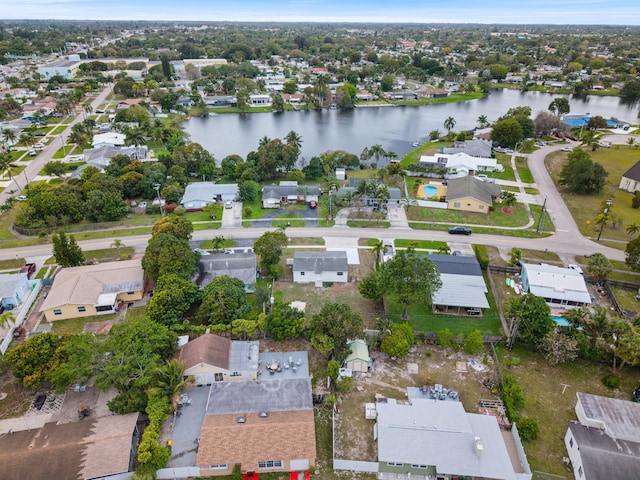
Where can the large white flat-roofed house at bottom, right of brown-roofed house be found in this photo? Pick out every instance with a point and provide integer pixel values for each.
(438, 439)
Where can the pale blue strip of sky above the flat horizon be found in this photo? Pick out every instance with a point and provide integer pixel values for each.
(557, 12)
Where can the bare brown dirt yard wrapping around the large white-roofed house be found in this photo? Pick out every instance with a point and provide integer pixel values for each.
(425, 365)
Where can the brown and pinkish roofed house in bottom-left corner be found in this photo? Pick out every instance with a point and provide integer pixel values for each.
(88, 449)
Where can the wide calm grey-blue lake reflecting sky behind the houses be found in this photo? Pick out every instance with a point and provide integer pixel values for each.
(395, 128)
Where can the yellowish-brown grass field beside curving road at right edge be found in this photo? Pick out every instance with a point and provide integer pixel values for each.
(585, 208)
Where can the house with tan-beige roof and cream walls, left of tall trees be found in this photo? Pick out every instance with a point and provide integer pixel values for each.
(91, 290)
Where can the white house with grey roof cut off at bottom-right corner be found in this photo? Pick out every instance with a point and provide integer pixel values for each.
(605, 442)
